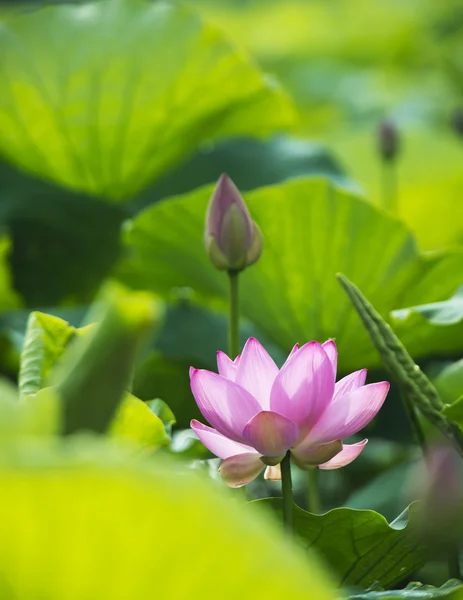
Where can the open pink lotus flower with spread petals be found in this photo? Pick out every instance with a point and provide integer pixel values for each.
(259, 412)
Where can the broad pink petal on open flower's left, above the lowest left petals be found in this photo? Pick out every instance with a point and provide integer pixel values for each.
(227, 406)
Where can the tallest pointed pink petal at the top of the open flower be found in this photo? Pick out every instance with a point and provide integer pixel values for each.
(256, 372)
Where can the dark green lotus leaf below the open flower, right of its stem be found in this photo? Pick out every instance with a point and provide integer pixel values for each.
(360, 546)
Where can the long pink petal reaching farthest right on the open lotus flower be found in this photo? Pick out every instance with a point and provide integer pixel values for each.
(349, 413)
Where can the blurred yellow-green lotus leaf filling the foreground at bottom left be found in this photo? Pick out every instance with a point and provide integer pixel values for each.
(84, 521)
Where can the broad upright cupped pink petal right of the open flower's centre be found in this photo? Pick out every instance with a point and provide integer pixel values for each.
(304, 386)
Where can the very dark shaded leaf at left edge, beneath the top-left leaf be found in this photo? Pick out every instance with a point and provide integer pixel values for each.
(62, 243)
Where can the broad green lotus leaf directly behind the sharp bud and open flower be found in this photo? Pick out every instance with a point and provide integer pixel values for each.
(311, 230)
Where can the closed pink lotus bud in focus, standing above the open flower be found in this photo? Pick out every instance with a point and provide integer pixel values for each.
(233, 240)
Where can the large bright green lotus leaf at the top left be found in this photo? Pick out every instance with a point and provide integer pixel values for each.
(106, 96)
